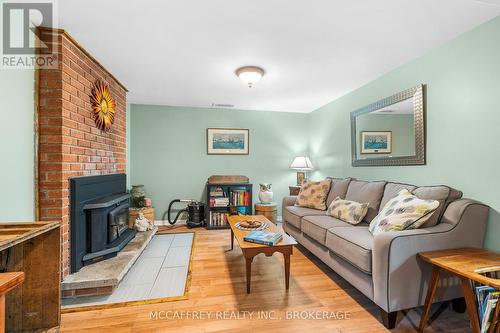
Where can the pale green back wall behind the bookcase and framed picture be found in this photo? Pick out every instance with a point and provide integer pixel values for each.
(169, 150)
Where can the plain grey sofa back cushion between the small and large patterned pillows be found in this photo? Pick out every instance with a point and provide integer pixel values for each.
(370, 192)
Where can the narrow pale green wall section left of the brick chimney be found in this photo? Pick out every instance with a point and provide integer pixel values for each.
(17, 147)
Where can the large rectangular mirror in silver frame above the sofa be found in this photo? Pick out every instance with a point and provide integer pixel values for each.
(390, 131)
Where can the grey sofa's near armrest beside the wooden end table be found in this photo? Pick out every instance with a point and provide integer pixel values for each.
(399, 277)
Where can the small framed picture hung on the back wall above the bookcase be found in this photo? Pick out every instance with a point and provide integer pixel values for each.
(227, 141)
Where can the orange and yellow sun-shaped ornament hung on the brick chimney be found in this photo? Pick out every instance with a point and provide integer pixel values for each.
(103, 106)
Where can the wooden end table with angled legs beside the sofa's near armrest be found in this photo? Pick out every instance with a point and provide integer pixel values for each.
(464, 263)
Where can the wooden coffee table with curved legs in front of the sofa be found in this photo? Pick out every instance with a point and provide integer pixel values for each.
(250, 250)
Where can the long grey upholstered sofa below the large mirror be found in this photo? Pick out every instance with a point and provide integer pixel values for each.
(385, 267)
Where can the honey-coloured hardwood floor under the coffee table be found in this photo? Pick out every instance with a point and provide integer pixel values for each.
(218, 284)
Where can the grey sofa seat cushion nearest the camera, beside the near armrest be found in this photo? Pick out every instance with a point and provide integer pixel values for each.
(354, 244)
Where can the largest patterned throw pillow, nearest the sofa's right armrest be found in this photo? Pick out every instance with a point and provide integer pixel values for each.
(403, 212)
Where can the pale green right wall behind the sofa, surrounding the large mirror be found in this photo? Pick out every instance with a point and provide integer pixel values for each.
(462, 80)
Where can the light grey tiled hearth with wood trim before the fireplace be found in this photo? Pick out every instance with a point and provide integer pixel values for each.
(160, 274)
